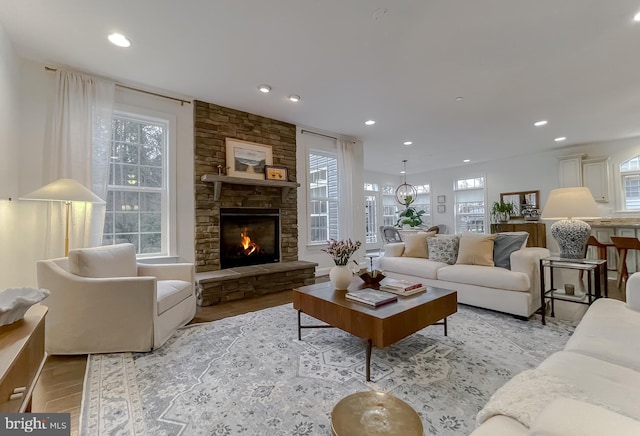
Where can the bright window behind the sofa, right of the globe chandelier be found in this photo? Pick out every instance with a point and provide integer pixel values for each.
(469, 205)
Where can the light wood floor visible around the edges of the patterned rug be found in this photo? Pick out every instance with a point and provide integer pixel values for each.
(59, 388)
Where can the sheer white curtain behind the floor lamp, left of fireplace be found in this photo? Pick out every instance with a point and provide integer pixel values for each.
(77, 146)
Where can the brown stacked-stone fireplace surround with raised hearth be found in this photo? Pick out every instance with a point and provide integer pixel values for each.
(213, 124)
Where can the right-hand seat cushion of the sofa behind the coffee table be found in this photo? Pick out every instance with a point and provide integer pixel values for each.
(498, 278)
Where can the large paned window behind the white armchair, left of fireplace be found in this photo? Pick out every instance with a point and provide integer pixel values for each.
(136, 210)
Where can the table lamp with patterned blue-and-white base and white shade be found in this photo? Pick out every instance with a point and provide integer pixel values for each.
(570, 206)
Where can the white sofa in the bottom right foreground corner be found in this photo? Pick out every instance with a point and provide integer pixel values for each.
(592, 387)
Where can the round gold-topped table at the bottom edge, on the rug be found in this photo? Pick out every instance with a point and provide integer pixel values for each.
(374, 413)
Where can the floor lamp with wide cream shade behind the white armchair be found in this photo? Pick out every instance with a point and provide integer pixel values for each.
(66, 191)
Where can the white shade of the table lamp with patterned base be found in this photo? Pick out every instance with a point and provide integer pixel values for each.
(570, 203)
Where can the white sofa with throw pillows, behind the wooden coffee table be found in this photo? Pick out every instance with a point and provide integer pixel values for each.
(515, 291)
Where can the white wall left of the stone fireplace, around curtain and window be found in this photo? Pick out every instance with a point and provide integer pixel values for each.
(26, 110)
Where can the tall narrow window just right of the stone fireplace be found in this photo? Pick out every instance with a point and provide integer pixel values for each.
(323, 197)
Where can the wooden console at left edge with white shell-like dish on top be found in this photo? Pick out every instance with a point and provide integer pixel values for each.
(22, 357)
